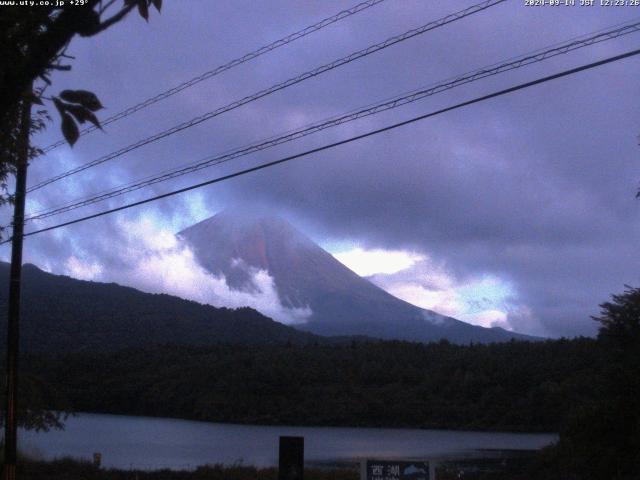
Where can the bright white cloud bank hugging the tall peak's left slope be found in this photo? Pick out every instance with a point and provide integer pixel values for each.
(155, 261)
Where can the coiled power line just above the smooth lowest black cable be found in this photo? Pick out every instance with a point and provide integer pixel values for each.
(538, 56)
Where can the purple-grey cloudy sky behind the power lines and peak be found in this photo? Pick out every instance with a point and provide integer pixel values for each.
(518, 211)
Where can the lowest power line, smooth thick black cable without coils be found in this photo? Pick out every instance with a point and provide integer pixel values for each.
(341, 142)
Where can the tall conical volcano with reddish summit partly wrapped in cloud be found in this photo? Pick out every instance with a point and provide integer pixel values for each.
(308, 277)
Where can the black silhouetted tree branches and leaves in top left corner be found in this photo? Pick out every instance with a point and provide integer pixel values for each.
(33, 44)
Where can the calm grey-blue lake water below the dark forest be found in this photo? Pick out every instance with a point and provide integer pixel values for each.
(153, 443)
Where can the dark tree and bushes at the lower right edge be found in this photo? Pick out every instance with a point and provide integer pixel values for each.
(602, 438)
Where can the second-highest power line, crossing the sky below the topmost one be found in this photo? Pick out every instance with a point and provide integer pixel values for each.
(280, 86)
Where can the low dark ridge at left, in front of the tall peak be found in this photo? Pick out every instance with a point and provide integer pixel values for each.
(62, 314)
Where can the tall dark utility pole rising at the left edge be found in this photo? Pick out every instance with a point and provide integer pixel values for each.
(13, 318)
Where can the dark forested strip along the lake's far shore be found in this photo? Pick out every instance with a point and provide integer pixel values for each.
(510, 386)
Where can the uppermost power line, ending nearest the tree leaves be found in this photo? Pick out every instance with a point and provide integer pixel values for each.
(227, 66)
